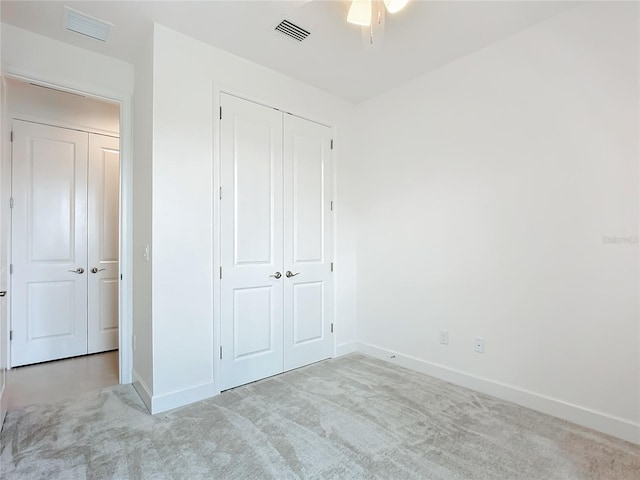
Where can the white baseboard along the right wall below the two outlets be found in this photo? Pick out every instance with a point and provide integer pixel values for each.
(595, 420)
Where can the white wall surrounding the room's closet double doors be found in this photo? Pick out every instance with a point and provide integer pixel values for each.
(184, 73)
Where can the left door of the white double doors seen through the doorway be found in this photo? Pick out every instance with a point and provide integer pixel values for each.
(49, 243)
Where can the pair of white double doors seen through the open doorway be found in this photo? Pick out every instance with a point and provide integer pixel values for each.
(65, 231)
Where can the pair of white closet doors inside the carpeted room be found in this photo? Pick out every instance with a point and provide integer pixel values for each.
(276, 242)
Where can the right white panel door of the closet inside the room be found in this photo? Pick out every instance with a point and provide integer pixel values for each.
(307, 242)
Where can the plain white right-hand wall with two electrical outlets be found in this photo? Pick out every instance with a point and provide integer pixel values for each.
(487, 191)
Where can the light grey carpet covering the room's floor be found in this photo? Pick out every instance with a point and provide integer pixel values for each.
(350, 418)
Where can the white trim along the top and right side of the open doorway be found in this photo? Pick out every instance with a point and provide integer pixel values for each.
(126, 184)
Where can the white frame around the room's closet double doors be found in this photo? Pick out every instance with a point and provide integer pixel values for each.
(218, 89)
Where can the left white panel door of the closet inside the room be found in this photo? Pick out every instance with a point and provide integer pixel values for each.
(251, 242)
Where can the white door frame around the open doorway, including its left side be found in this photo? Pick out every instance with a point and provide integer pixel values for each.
(125, 307)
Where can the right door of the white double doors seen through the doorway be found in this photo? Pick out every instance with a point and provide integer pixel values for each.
(103, 205)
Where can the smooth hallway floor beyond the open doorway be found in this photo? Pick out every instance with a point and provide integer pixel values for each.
(62, 379)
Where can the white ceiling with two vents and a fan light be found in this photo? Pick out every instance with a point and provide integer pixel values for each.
(422, 37)
